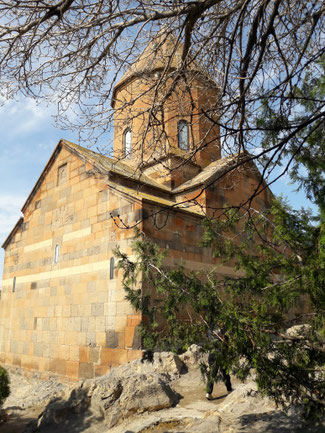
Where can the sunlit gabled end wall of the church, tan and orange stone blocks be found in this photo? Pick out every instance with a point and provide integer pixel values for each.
(68, 317)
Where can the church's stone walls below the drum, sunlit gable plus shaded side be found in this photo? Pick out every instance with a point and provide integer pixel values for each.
(62, 309)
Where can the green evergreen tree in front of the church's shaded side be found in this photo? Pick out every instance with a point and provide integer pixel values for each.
(280, 281)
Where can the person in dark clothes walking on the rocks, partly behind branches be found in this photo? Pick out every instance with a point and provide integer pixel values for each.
(218, 335)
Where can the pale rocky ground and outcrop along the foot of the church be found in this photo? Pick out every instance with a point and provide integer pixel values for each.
(147, 397)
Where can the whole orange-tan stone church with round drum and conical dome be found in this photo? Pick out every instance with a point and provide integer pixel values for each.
(62, 307)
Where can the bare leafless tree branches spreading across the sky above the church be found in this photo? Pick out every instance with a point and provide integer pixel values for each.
(72, 52)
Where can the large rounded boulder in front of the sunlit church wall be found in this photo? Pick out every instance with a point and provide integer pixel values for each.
(110, 398)
